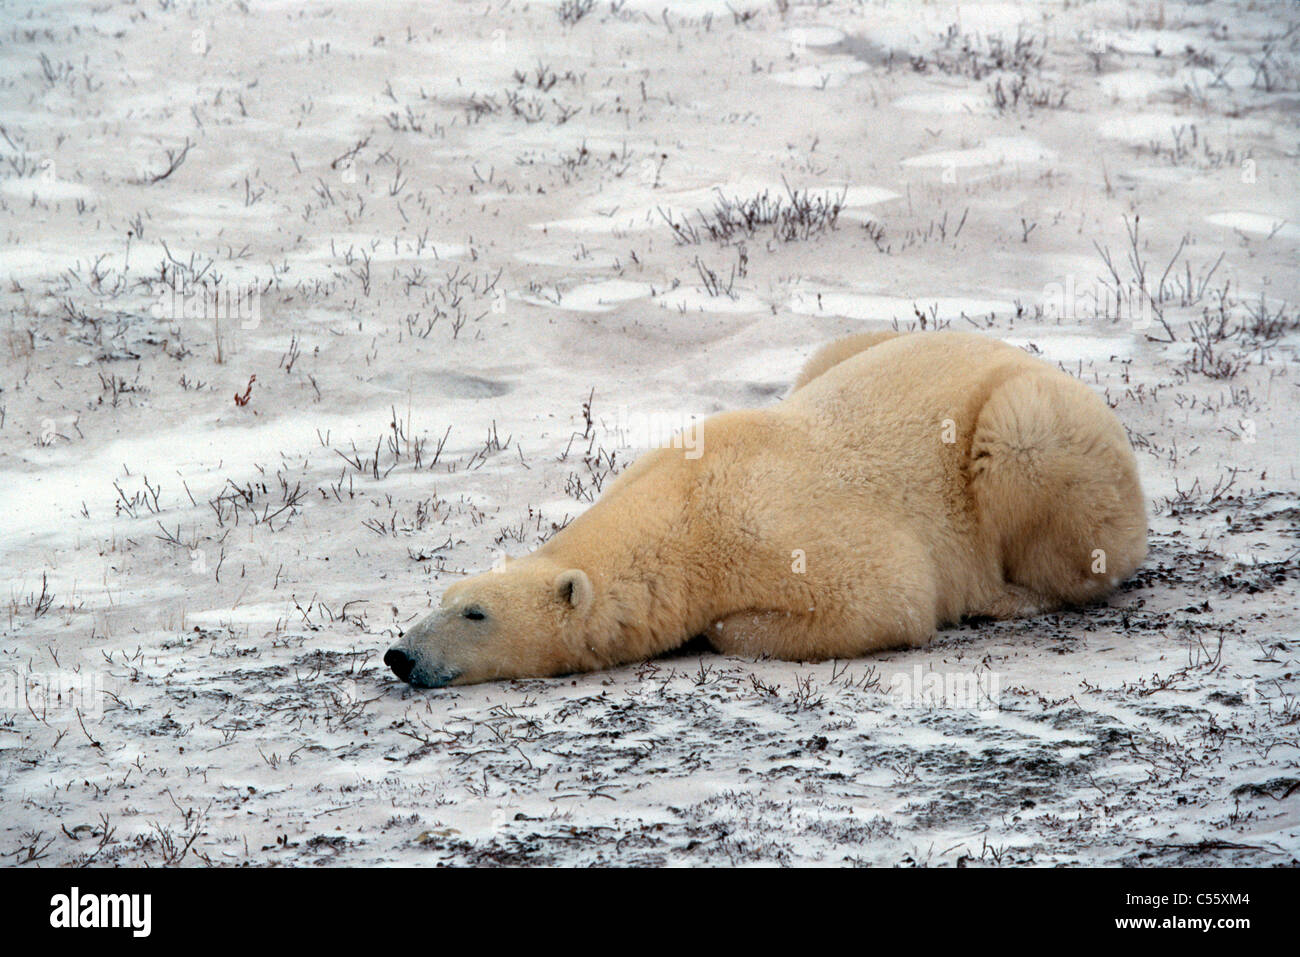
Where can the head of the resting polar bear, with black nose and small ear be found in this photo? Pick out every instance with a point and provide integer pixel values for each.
(527, 618)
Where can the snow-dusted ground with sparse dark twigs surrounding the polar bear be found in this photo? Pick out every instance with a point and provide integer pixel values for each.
(474, 253)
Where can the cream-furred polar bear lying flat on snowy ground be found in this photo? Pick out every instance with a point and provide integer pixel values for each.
(907, 482)
